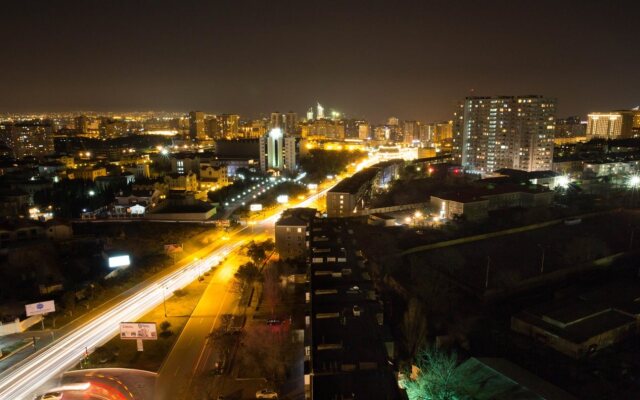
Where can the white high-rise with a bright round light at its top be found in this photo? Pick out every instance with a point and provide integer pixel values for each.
(277, 151)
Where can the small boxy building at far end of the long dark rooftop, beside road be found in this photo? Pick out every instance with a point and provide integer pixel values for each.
(292, 232)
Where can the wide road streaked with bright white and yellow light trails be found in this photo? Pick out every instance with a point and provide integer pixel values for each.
(26, 378)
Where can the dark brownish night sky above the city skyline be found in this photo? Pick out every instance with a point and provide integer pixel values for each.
(412, 60)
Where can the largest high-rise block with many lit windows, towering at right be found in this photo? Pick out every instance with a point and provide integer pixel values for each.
(516, 132)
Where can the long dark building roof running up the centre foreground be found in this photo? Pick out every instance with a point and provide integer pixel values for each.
(349, 351)
